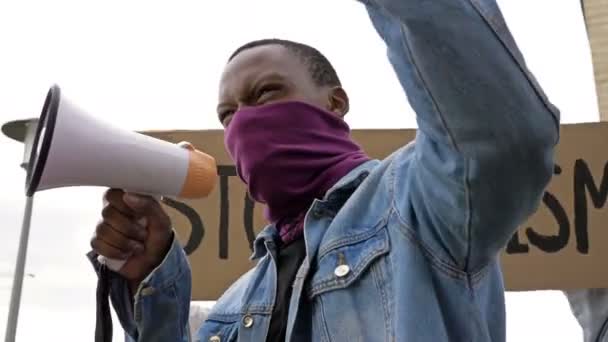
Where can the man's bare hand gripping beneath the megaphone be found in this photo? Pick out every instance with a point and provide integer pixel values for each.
(136, 228)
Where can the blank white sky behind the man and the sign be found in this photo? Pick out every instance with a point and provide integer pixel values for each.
(155, 65)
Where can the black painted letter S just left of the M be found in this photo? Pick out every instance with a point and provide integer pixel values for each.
(552, 244)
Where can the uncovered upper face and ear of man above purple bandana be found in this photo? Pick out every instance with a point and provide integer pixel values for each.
(268, 74)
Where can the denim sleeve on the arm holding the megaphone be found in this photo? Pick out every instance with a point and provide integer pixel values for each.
(159, 310)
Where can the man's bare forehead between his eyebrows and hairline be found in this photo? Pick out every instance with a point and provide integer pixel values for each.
(258, 62)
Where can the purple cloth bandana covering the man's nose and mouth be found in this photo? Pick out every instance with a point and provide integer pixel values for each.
(288, 154)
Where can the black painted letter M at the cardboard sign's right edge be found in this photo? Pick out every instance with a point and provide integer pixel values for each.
(583, 180)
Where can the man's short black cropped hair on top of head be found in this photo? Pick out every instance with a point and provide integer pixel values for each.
(321, 70)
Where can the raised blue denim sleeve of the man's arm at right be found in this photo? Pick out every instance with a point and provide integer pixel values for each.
(484, 152)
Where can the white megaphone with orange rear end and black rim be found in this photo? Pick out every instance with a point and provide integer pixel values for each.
(73, 148)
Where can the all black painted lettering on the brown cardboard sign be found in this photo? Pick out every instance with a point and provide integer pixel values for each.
(585, 188)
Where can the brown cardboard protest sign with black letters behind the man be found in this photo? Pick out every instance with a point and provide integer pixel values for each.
(563, 246)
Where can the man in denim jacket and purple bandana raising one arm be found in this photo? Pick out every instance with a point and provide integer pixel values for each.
(403, 249)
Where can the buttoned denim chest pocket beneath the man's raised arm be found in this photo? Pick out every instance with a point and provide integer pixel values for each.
(349, 290)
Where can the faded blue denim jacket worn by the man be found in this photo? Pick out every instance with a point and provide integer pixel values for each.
(405, 248)
